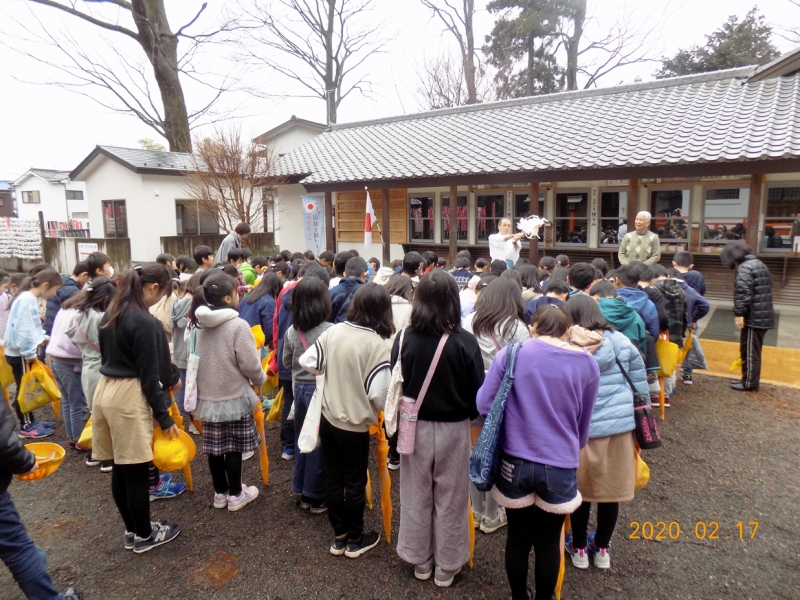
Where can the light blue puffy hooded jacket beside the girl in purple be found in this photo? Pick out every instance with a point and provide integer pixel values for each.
(613, 409)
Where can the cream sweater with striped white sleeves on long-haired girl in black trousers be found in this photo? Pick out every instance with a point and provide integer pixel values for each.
(355, 363)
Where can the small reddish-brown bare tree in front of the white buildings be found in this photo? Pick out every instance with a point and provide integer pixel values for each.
(231, 180)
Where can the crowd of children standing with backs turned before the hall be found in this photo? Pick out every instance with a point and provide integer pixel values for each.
(578, 332)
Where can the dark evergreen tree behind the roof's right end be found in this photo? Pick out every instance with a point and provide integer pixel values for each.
(735, 44)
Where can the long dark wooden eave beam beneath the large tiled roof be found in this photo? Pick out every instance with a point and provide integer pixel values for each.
(707, 169)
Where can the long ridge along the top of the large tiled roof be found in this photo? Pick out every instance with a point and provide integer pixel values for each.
(738, 72)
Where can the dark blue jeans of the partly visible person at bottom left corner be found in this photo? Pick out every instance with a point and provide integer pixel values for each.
(24, 559)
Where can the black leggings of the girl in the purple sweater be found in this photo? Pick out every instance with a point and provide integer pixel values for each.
(532, 527)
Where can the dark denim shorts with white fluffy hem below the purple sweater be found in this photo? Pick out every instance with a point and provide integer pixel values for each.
(523, 483)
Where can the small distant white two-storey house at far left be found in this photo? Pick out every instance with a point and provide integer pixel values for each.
(55, 195)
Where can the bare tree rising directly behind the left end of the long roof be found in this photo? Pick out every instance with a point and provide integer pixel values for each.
(325, 42)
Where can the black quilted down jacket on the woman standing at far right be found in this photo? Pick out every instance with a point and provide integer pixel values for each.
(752, 297)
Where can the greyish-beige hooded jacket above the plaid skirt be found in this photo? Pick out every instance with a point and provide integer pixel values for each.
(229, 362)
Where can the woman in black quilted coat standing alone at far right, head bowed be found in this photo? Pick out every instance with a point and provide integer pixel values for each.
(752, 308)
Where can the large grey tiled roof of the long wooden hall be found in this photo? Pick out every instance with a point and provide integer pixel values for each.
(711, 117)
